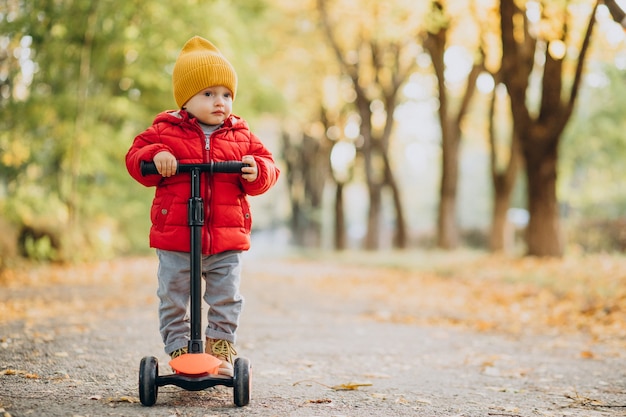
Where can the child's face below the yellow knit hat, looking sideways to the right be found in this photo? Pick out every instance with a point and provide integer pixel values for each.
(212, 105)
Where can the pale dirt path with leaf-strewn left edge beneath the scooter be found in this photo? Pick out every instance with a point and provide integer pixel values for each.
(324, 339)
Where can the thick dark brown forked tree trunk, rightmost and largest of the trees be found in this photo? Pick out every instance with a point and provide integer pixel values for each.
(540, 135)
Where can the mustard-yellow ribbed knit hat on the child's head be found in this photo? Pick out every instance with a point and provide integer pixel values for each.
(201, 65)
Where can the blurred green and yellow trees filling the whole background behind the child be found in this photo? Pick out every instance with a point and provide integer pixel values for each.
(397, 124)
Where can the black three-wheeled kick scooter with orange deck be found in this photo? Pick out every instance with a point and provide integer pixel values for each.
(195, 370)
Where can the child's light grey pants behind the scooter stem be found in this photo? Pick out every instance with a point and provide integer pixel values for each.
(222, 275)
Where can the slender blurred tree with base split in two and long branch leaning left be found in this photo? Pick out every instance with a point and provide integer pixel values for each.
(371, 81)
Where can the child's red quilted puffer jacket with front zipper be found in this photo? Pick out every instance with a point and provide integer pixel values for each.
(227, 212)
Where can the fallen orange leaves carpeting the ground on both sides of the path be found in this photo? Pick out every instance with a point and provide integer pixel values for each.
(471, 290)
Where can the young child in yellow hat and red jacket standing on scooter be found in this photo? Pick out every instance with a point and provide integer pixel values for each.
(203, 130)
